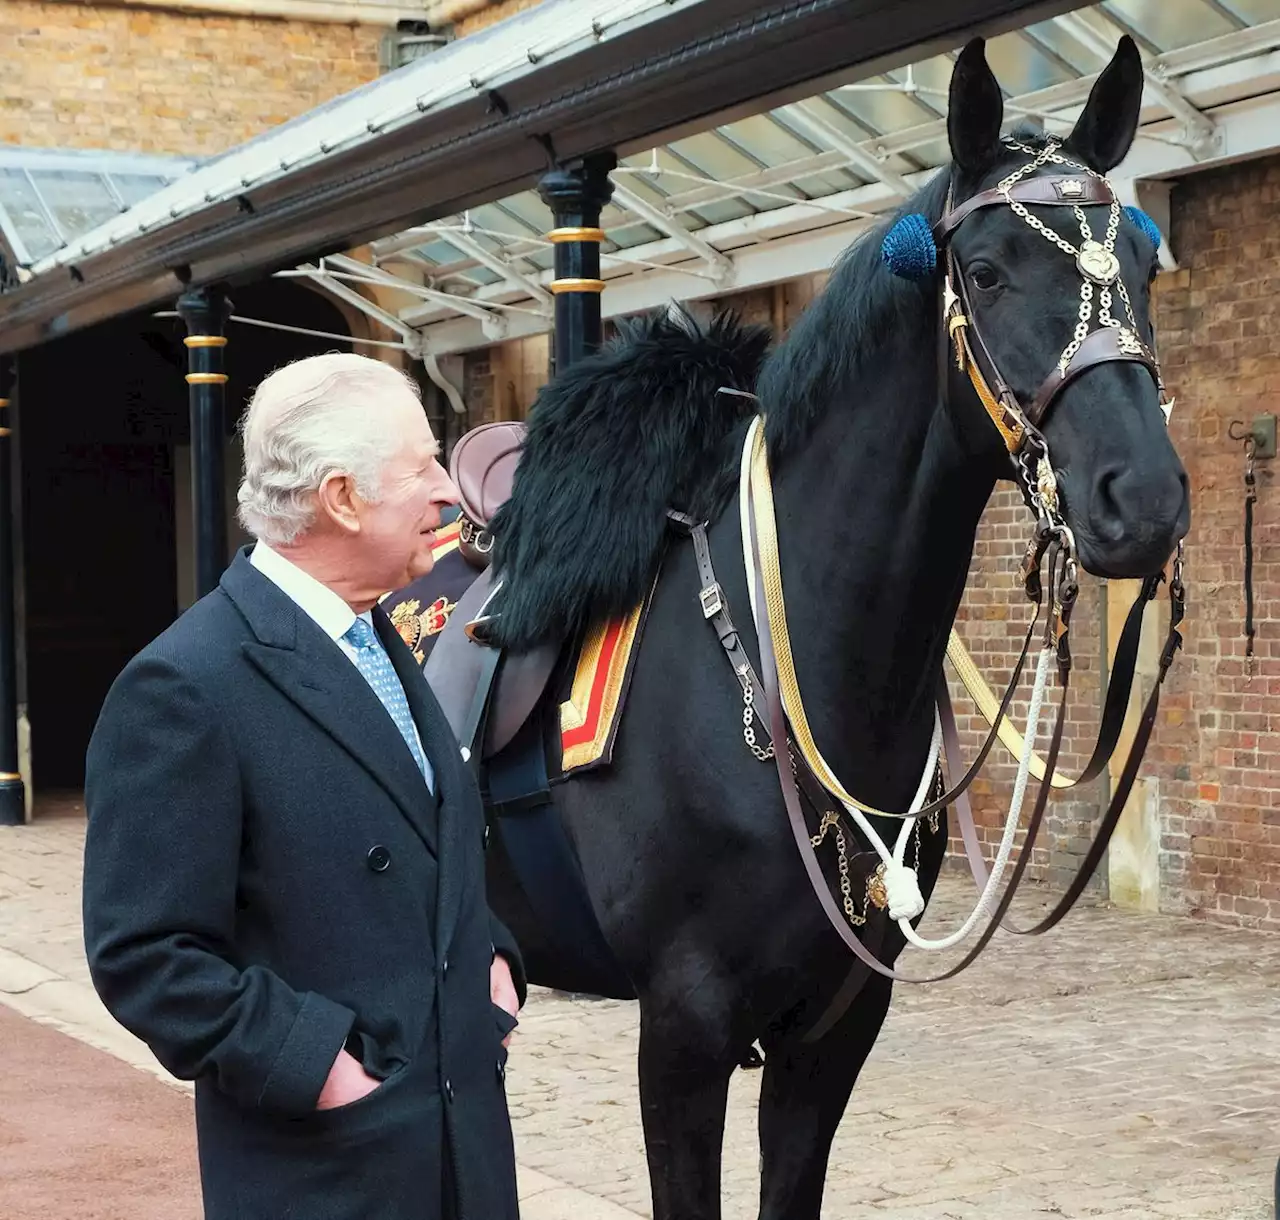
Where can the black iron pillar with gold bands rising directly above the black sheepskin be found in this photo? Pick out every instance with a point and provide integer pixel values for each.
(575, 194)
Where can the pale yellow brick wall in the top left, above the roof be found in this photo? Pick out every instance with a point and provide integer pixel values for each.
(156, 81)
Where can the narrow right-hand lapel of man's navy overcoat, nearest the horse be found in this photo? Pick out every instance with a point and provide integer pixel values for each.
(454, 784)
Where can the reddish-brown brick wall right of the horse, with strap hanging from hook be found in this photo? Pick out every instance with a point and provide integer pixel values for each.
(1219, 743)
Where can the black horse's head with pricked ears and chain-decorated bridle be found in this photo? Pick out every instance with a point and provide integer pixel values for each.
(1039, 287)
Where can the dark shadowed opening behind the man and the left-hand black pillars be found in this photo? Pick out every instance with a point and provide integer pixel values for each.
(103, 437)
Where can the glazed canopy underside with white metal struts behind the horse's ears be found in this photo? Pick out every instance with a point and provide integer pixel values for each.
(822, 152)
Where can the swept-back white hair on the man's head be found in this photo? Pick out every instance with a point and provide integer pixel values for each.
(307, 422)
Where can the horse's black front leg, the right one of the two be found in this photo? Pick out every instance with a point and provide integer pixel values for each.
(803, 1098)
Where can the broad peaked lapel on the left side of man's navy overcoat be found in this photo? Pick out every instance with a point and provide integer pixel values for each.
(312, 670)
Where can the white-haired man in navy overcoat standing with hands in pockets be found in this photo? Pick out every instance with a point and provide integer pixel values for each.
(285, 867)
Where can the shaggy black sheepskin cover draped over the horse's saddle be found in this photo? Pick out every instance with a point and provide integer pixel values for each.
(614, 442)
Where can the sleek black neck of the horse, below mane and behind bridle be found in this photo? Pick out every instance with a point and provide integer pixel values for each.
(877, 517)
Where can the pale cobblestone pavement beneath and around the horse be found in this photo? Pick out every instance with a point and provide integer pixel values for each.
(1123, 1067)
